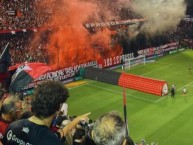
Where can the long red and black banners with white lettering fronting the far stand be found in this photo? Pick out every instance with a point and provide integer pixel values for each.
(67, 74)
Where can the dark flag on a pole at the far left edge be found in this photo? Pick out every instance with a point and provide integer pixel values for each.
(5, 60)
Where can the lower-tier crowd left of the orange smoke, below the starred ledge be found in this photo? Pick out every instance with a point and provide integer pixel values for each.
(22, 50)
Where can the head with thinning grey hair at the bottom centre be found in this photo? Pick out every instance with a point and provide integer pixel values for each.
(109, 129)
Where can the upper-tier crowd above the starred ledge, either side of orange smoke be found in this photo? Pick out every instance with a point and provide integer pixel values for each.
(28, 14)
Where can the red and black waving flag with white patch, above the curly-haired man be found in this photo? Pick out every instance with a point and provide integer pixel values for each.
(26, 73)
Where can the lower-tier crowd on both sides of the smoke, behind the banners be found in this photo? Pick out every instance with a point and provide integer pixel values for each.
(22, 50)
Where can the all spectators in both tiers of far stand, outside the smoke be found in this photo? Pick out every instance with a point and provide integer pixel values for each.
(19, 15)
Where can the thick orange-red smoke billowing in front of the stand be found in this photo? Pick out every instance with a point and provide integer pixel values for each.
(71, 43)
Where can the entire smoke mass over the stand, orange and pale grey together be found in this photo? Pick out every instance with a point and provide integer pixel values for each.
(72, 43)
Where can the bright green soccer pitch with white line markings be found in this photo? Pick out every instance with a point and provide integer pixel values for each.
(165, 120)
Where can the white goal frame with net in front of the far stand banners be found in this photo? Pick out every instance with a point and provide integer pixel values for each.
(129, 63)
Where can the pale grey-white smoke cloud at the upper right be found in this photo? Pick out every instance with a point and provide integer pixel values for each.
(161, 15)
